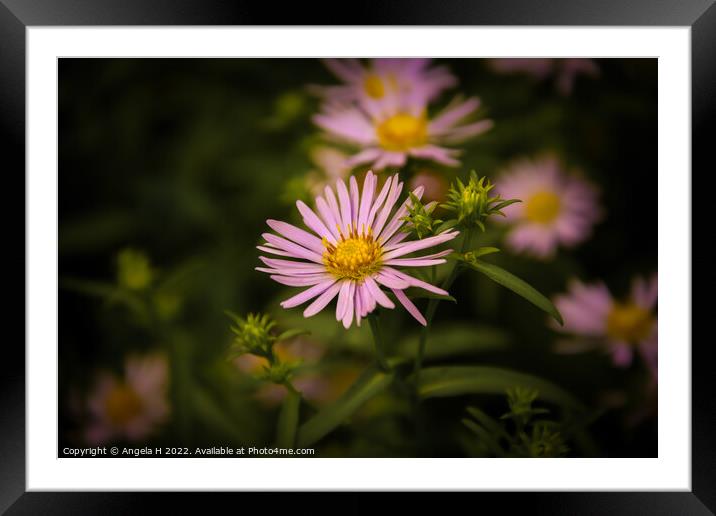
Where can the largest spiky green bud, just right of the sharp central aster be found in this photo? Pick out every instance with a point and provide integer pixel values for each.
(472, 203)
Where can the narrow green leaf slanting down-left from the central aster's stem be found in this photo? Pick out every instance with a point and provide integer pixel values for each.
(369, 384)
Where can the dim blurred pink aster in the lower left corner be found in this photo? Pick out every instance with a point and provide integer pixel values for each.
(129, 408)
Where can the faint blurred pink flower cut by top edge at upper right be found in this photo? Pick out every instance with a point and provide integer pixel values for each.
(564, 71)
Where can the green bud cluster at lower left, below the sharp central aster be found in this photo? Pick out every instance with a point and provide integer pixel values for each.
(253, 335)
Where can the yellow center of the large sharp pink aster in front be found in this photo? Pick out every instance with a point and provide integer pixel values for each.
(355, 256)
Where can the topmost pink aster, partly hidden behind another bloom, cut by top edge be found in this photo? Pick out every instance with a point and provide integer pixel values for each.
(383, 79)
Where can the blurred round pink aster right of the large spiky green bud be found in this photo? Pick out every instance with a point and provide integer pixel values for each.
(556, 208)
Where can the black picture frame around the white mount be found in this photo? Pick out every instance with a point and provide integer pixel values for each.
(17, 15)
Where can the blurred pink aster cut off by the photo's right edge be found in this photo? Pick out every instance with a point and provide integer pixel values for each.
(621, 327)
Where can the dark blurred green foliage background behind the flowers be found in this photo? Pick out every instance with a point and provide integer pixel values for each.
(168, 169)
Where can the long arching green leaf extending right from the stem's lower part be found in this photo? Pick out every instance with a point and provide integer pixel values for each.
(435, 382)
